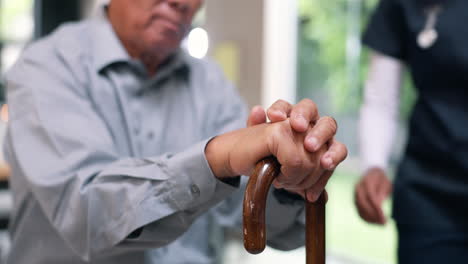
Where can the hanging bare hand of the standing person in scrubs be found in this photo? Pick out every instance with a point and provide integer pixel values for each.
(370, 192)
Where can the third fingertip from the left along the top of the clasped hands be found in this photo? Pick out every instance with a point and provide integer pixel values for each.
(302, 114)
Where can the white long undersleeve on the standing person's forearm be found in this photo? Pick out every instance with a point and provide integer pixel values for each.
(379, 112)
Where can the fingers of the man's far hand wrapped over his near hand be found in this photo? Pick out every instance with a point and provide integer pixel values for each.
(319, 140)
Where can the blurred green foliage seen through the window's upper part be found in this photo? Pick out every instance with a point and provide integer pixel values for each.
(322, 54)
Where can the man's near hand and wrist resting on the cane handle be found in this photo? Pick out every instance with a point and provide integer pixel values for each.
(237, 153)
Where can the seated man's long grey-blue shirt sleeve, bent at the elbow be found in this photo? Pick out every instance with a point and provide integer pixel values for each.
(60, 147)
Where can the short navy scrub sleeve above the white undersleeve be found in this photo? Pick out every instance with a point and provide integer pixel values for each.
(387, 30)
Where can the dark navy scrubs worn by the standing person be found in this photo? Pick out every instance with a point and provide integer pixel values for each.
(431, 186)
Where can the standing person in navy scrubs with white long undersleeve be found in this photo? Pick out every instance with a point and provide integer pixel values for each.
(429, 38)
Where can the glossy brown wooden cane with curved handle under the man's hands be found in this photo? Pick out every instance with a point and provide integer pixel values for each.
(254, 214)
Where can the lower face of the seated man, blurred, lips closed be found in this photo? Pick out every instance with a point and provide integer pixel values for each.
(152, 27)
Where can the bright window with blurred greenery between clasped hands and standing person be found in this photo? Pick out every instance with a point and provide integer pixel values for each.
(331, 67)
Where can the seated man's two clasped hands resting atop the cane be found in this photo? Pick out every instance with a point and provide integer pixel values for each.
(301, 140)
